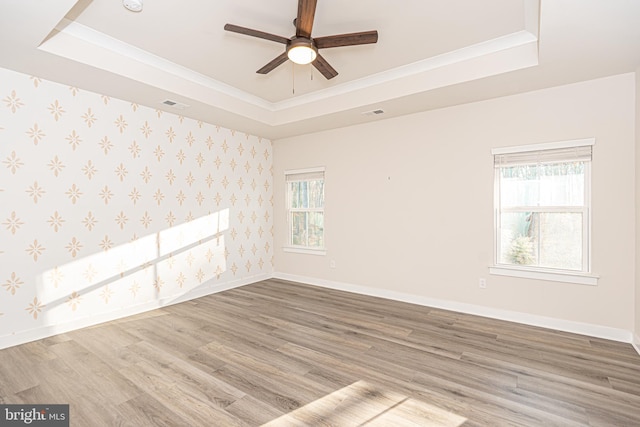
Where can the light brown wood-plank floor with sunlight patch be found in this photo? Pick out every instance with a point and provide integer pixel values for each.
(277, 353)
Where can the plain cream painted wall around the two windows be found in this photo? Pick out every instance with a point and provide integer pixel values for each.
(409, 202)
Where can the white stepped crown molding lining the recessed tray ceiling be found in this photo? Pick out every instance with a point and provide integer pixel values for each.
(86, 45)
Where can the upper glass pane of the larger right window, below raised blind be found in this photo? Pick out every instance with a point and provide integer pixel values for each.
(553, 184)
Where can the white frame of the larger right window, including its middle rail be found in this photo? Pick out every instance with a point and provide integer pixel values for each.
(583, 276)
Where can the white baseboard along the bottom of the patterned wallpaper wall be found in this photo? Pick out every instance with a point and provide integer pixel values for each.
(46, 331)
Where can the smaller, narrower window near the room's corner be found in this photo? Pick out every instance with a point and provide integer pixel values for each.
(305, 210)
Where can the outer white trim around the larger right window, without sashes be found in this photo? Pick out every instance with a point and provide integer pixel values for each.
(539, 273)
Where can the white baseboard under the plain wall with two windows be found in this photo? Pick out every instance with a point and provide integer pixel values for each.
(588, 329)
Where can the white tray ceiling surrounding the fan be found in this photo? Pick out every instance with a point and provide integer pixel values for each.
(430, 54)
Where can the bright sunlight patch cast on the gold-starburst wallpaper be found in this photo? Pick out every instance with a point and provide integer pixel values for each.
(160, 267)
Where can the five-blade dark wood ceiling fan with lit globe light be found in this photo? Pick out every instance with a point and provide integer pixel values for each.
(302, 48)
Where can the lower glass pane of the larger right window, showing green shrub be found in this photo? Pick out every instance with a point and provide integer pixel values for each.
(550, 240)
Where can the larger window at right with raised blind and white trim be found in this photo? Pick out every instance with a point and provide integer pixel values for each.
(542, 203)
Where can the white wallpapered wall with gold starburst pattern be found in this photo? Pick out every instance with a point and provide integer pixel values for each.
(107, 207)
